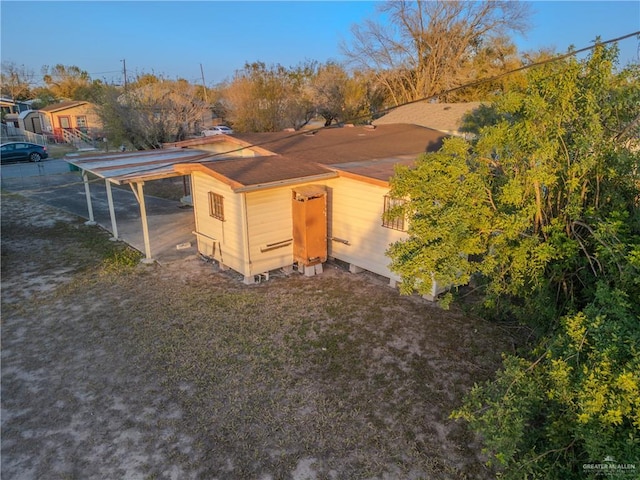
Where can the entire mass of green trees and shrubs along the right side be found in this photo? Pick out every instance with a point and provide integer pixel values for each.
(543, 209)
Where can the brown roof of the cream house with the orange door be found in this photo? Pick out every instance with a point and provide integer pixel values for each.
(364, 151)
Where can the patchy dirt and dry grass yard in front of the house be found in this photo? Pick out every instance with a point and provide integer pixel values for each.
(113, 371)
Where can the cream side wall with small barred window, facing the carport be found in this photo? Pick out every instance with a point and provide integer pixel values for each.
(222, 240)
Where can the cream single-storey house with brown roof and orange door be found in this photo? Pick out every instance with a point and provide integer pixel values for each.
(281, 200)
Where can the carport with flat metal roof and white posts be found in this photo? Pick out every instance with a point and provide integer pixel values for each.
(134, 169)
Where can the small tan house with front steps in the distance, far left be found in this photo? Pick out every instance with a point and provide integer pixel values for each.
(72, 121)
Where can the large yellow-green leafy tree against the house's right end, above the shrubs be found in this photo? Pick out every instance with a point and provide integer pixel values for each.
(553, 165)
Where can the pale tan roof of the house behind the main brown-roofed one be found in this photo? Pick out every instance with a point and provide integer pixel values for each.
(444, 117)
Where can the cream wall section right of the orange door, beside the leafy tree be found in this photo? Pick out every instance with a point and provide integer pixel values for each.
(356, 217)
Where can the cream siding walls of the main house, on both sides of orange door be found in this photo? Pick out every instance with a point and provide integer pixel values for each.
(354, 215)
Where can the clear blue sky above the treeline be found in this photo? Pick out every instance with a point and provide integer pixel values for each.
(177, 39)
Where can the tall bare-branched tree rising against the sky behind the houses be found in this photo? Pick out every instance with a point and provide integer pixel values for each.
(424, 47)
